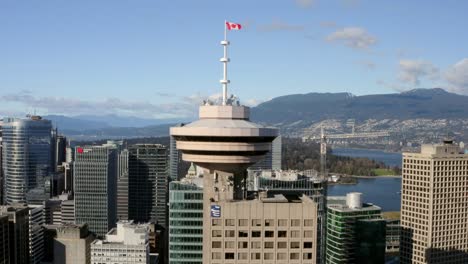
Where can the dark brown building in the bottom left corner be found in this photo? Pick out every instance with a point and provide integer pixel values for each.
(18, 232)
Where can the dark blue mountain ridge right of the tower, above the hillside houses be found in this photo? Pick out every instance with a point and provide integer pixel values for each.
(313, 107)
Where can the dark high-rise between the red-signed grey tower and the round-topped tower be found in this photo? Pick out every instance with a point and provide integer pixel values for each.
(147, 183)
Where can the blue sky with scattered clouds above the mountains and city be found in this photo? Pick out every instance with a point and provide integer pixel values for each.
(159, 58)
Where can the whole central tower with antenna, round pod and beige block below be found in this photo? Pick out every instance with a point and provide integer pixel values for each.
(237, 228)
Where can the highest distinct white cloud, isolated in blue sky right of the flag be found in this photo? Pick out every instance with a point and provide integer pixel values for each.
(353, 37)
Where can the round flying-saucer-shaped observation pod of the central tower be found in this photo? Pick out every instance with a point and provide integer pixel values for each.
(223, 139)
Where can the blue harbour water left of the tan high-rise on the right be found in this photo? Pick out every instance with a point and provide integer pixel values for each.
(381, 191)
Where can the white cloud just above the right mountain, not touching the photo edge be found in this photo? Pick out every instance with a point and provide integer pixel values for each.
(412, 71)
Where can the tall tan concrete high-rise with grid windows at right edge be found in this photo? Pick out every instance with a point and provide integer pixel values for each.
(434, 205)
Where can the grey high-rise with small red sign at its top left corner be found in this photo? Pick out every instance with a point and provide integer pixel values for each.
(95, 181)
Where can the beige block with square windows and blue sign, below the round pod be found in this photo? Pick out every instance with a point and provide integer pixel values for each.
(265, 230)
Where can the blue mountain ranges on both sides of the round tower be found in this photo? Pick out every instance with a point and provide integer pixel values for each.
(408, 111)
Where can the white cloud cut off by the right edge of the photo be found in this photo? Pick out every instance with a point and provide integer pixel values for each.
(457, 77)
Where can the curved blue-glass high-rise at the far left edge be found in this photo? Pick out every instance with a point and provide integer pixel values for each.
(26, 155)
